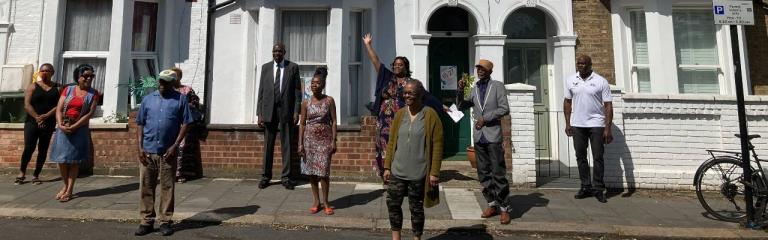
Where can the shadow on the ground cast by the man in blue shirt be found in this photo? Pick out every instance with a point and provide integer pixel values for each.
(214, 217)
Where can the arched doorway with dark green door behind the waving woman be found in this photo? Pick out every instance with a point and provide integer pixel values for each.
(449, 50)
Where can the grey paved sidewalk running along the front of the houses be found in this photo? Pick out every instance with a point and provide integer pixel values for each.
(644, 214)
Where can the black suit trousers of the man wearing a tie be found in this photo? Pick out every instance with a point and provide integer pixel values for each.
(270, 134)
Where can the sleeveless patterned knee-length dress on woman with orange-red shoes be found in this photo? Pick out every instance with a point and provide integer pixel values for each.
(318, 139)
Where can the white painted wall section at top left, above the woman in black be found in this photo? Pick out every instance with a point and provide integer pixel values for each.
(24, 40)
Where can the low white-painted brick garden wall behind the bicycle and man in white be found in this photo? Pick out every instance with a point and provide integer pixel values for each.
(659, 140)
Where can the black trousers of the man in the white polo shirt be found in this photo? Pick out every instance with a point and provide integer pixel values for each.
(582, 138)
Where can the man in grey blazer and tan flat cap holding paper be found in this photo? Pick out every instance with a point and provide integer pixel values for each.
(489, 99)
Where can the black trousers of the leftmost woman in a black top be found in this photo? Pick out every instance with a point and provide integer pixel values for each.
(35, 137)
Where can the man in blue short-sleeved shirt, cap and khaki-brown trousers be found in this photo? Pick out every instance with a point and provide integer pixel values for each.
(162, 123)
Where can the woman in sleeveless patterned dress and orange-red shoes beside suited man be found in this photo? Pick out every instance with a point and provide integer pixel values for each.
(317, 134)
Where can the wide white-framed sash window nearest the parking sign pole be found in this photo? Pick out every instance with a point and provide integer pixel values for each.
(696, 51)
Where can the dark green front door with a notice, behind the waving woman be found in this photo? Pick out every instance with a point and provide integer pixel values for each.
(447, 52)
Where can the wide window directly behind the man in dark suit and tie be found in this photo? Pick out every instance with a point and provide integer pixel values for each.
(304, 35)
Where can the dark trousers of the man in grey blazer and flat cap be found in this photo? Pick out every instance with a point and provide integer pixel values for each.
(492, 173)
